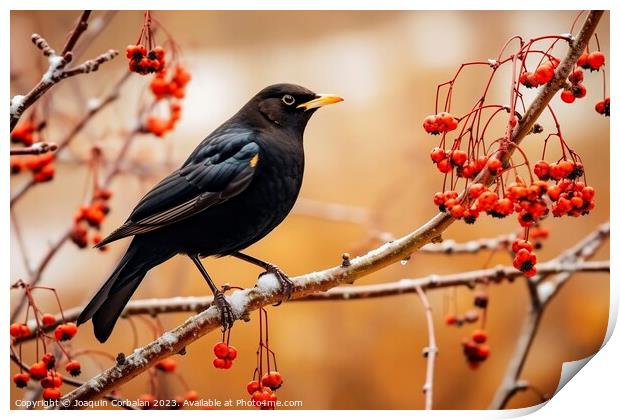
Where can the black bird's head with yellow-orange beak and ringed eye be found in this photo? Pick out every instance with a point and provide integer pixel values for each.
(290, 106)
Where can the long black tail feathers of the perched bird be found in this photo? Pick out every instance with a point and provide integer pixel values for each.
(107, 305)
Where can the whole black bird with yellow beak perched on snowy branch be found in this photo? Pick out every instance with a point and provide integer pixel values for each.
(235, 187)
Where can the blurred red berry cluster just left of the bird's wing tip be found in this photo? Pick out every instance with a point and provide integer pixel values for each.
(91, 216)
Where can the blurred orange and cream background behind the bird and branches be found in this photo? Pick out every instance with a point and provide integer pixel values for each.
(368, 155)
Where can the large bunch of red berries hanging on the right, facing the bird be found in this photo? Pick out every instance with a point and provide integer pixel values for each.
(493, 182)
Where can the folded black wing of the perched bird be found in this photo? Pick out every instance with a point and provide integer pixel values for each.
(220, 168)
